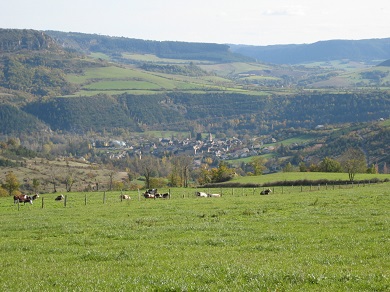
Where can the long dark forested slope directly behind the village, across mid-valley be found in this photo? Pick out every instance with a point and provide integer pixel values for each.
(213, 111)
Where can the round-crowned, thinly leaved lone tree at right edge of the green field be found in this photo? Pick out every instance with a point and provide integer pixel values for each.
(353, 161)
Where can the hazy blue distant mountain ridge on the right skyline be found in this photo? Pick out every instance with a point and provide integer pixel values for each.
(368, 50)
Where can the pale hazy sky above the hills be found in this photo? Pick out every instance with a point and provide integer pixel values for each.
(253, 22)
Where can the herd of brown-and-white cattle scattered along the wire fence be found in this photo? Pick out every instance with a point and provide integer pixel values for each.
(149, 194)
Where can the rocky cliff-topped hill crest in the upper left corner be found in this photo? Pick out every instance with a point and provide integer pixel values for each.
(13, 40)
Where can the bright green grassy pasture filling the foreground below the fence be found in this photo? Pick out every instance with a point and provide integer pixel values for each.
(327, 239)
